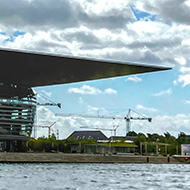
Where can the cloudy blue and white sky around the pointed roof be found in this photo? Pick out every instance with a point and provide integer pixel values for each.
(148, 32)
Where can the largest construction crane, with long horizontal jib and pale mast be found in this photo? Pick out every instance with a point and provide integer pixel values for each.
(127, 118)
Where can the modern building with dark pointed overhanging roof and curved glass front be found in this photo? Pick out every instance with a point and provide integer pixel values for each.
(22, 70)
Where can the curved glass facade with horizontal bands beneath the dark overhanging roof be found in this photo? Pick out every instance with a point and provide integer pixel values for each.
(17, 112)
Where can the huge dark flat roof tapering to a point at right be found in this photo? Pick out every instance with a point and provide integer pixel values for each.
(39, 69)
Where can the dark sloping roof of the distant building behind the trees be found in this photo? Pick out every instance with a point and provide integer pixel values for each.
(96, 135)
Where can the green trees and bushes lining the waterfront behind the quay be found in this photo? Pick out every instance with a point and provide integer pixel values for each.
(51, 144)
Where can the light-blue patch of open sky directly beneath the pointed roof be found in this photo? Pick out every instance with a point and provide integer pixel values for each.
(129, 94)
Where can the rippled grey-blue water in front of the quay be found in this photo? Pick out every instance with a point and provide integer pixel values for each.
(94, 176)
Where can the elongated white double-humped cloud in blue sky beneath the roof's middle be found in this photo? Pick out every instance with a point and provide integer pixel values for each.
(86, 89)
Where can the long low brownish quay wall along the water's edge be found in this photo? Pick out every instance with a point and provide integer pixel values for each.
(88, 158)
